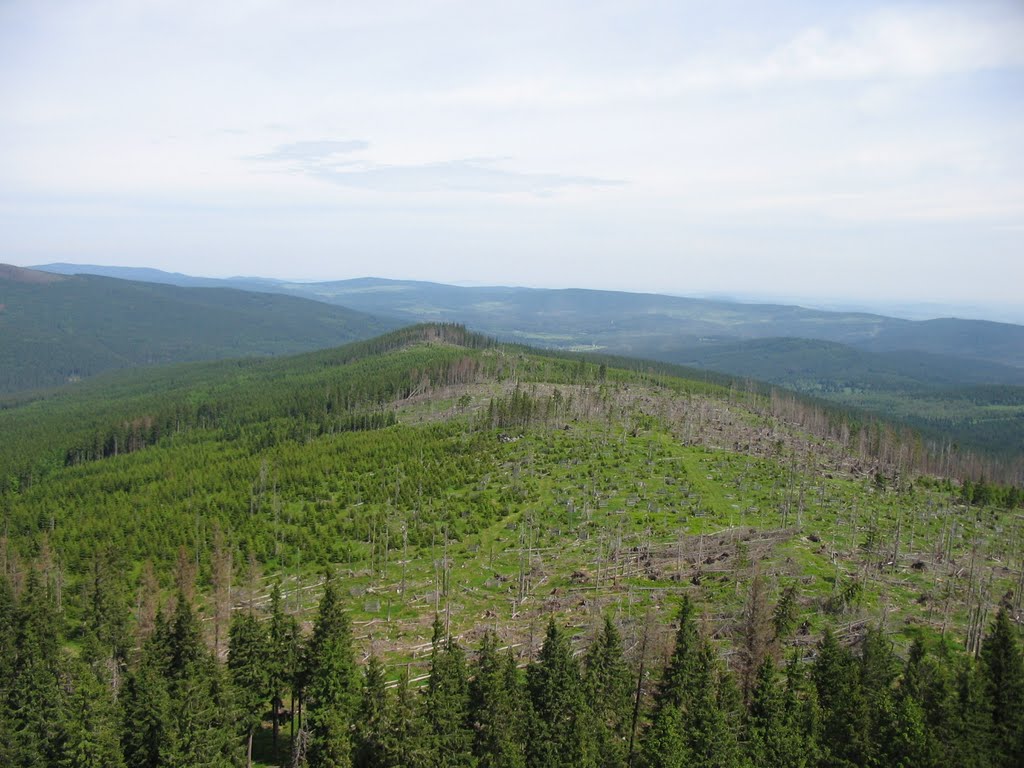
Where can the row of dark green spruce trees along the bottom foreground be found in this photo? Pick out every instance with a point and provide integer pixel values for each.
(180, 708)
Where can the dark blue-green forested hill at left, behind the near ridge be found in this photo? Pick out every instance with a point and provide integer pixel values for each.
(60, 329)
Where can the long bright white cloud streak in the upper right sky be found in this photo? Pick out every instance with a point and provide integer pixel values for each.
(889, 45)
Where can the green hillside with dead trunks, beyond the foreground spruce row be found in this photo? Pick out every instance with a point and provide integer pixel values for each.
(433, 437)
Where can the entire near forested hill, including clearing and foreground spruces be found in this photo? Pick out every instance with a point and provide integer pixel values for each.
(296, 558)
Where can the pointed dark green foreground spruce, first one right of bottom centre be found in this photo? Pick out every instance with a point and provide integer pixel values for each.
(560, 727)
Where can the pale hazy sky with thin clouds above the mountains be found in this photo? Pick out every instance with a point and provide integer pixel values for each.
(866, 150)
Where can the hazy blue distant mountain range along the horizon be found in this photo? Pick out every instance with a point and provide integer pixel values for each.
(644, 325)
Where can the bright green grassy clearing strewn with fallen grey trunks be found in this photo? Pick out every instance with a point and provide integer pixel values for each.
(598, 520)
